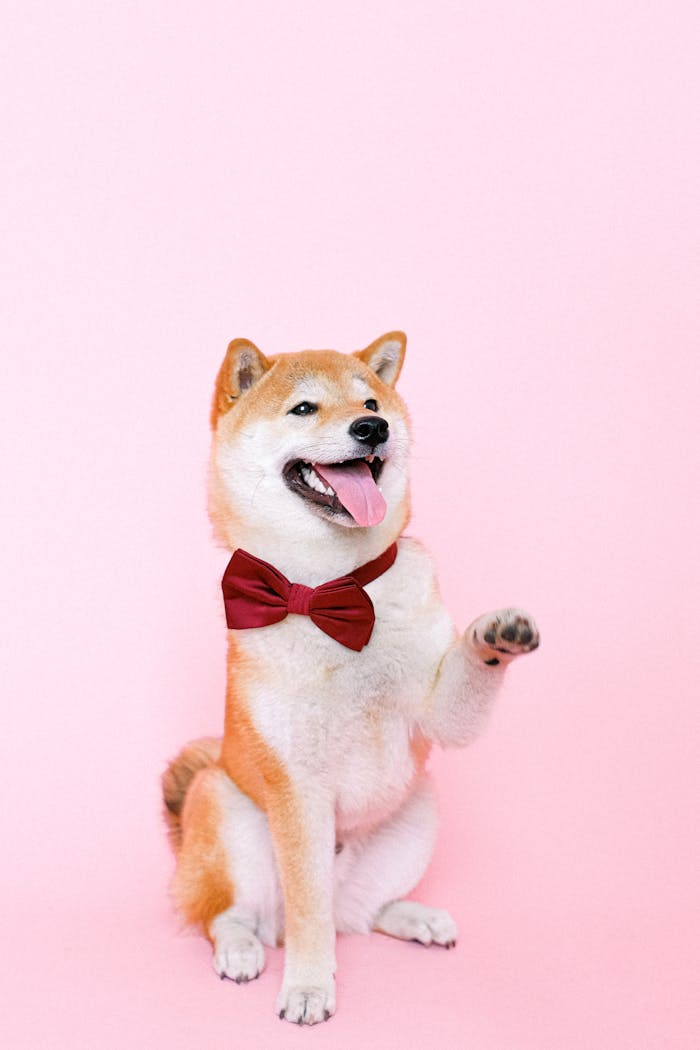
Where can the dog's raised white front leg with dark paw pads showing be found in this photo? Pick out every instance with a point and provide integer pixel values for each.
(472, 674)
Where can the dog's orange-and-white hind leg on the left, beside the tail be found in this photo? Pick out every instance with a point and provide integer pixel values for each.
(226, 880)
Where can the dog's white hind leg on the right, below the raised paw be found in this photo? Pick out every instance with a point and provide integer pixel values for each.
(374, 875)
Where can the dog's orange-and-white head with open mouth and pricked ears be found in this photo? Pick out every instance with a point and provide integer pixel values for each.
(310, 446)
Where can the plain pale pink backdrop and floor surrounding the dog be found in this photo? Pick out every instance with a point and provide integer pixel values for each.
(517, 186)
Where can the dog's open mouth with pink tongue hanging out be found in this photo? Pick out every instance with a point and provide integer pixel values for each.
(350, 488)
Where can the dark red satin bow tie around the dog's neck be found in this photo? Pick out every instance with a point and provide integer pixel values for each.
(257, 595)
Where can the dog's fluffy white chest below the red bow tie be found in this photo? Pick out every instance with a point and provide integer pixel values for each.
(351, 718)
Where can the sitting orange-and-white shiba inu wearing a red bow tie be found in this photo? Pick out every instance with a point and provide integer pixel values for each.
(314, 813)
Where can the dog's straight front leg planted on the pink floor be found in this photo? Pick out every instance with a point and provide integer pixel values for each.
(303, 826)
